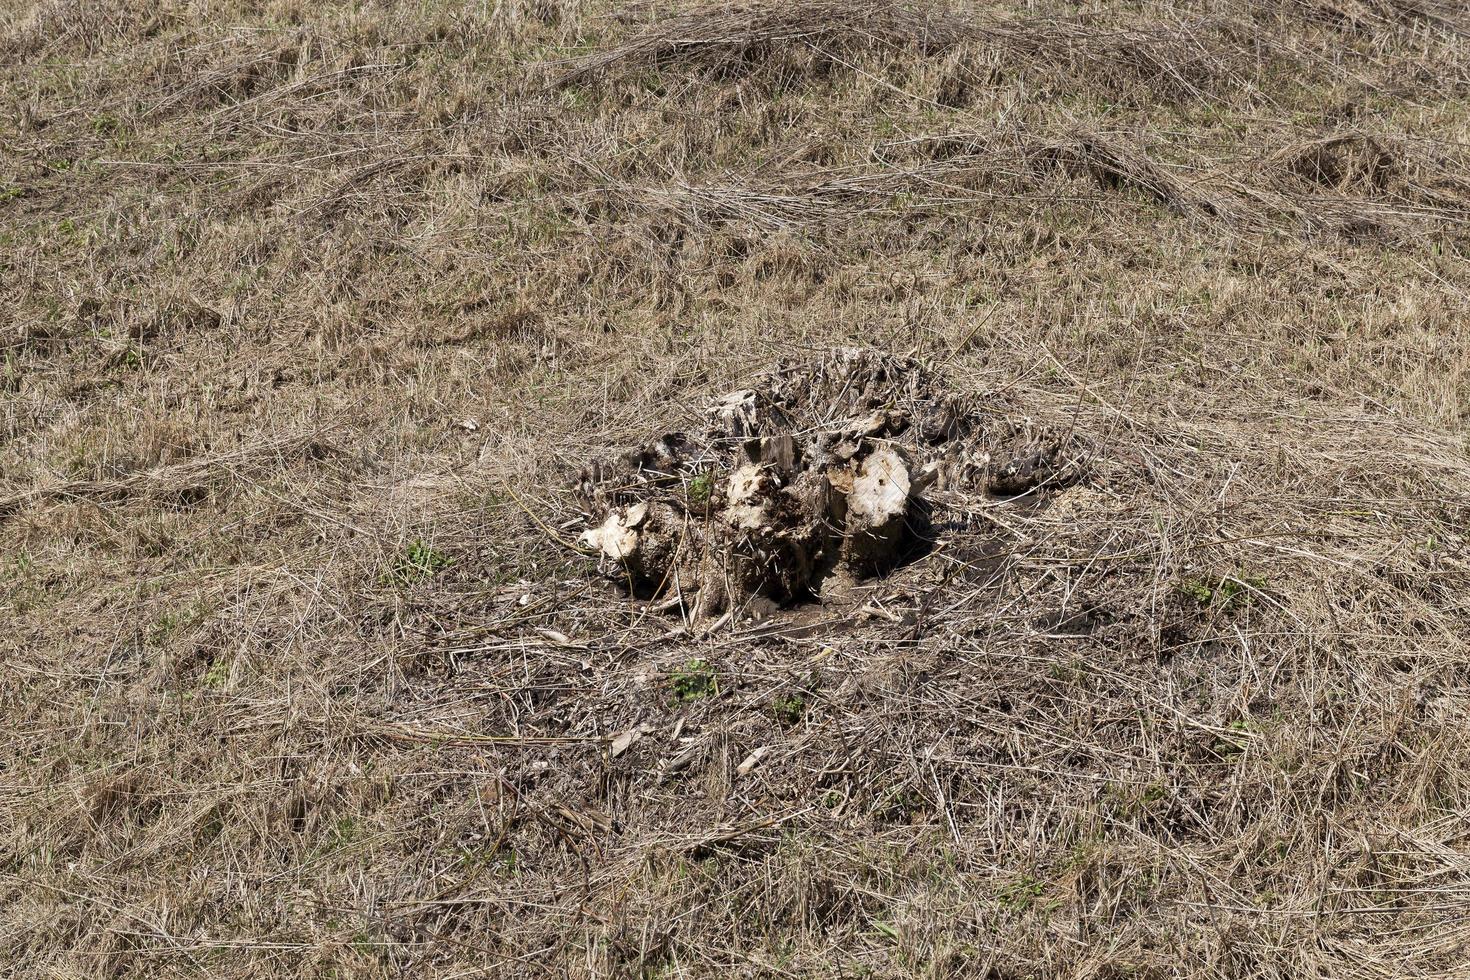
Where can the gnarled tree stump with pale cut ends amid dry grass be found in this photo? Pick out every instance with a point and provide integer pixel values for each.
(800, 486)
